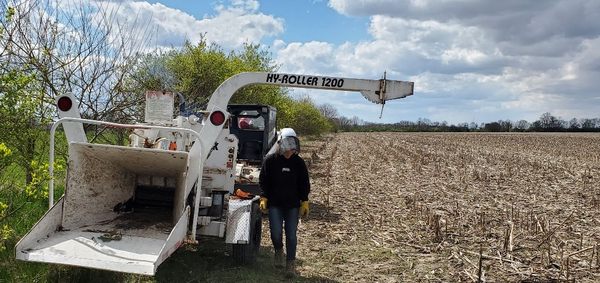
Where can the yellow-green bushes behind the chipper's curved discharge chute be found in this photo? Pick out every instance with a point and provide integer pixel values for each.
(197, 70)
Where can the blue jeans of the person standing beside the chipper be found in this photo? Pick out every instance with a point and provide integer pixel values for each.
(277, 218)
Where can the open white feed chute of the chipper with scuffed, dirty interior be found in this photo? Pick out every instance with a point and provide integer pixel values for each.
(117, 213)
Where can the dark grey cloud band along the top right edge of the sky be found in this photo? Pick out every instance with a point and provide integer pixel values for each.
(514, 21)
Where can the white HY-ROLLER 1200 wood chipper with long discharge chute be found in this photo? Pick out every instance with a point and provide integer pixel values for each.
(128, 208)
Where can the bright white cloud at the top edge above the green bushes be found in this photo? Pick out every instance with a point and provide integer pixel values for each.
(230, 27)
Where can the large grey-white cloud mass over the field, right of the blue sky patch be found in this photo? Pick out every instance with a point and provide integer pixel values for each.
(471, 60)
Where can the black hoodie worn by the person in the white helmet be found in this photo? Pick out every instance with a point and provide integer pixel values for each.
(284, 182)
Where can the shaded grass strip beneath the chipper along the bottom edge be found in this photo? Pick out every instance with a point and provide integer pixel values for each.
(207, 262)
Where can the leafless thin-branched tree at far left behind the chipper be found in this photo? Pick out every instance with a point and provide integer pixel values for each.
(81, 47)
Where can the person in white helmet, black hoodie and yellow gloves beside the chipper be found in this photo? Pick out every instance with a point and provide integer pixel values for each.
(285, 187)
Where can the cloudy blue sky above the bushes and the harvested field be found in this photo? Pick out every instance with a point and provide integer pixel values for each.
(470, 60)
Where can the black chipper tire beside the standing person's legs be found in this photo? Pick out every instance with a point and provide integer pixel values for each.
(246, 253)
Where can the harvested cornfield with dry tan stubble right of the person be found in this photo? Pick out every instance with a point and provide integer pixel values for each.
(391, 207)
